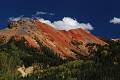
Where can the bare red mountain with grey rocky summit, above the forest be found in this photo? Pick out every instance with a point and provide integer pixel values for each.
(66, 44)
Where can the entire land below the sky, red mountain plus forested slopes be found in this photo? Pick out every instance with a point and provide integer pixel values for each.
(32, 50)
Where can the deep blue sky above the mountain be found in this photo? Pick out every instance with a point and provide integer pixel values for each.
(97, 12)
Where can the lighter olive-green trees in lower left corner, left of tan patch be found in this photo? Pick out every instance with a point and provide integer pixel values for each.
(8, 66)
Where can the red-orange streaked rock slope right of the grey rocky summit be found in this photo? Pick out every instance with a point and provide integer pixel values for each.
(61, 39)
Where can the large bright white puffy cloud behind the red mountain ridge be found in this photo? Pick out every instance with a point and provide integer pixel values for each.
(68, 23)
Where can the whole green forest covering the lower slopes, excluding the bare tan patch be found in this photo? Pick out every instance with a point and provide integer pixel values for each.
(102, 64)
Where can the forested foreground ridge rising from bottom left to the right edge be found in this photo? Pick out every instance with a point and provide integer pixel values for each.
(102, 64)
